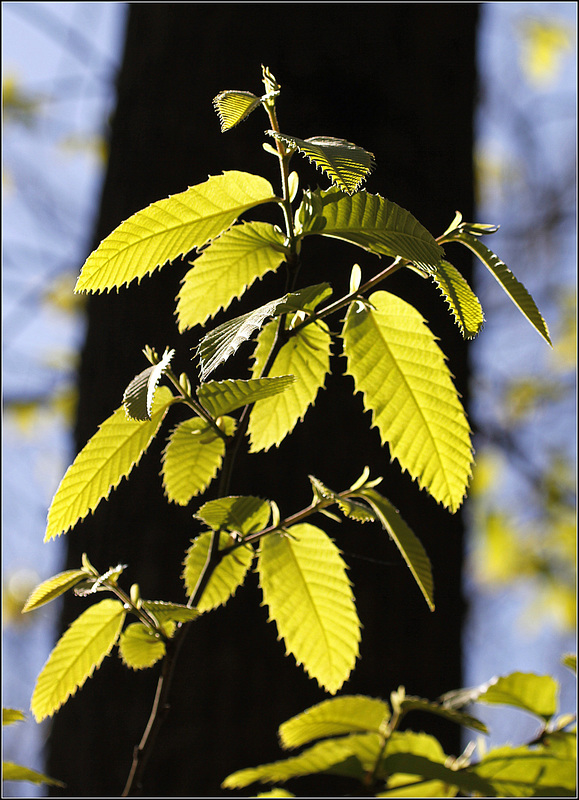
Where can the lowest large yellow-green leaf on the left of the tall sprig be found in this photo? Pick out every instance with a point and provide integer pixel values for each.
(77, 654)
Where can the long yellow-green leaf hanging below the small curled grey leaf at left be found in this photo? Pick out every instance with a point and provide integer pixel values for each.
(108, 457)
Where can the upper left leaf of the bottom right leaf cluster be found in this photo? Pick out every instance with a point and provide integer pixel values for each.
(335, 717)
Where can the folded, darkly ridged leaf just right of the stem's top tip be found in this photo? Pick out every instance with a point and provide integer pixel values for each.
(346, 164)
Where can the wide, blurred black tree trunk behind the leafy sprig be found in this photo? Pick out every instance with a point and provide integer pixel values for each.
(399, 80)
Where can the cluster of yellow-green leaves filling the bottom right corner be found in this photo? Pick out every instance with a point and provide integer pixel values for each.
(359, 738)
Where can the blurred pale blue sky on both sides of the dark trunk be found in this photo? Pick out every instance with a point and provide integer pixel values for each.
(66, 54)
